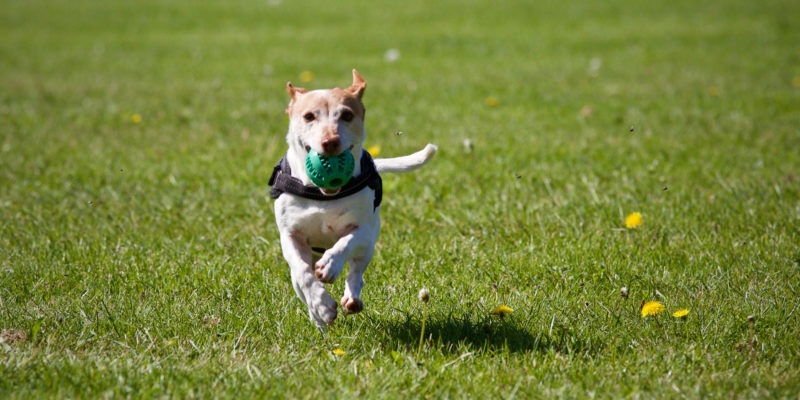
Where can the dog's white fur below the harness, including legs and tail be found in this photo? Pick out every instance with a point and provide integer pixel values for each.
(347, 228)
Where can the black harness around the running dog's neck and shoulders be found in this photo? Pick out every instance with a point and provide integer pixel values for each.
(282, 182)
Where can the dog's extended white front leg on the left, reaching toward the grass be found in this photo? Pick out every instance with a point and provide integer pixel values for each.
(321, 306)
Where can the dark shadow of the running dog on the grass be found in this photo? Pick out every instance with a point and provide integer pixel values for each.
(456, 333)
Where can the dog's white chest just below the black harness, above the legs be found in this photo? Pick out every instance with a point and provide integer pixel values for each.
(322, 223)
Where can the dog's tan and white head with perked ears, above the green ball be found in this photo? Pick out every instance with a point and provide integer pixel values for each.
(329, 121)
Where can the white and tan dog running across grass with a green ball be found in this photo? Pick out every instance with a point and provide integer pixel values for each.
(321, 230)
